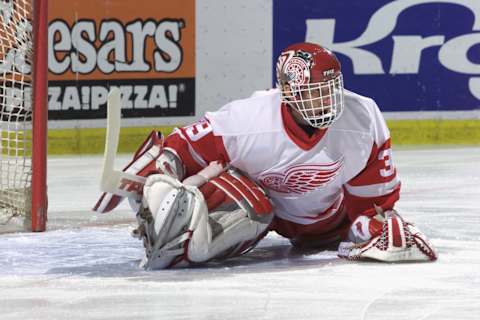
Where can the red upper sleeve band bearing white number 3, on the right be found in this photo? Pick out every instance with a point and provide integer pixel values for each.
(379, 168)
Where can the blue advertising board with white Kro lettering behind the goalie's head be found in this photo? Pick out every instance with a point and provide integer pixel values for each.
(409, 55)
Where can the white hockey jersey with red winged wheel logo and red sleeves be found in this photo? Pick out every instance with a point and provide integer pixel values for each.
(307, 183)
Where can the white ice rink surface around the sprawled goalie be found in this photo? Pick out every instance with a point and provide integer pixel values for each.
(85, 266)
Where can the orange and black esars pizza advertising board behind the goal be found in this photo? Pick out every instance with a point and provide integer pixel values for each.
(144, 47)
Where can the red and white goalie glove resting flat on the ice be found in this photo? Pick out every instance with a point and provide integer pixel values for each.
(396, 240)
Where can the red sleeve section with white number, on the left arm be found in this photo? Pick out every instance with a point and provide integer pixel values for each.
(197, 146)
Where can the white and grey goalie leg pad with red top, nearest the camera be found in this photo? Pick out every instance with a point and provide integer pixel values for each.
(178, 229)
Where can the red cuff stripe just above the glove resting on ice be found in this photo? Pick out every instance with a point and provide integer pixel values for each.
(357, 206)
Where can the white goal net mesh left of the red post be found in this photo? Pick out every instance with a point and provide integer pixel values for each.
(15, 110)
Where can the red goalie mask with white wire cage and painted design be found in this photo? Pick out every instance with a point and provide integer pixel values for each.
(310, 80)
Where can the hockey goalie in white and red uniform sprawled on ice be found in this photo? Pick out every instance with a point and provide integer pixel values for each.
(308, 160)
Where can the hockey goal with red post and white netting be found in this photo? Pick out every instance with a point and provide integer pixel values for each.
(23, 115)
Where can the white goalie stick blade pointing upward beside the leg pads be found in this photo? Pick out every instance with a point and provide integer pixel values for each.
(113, 181)
